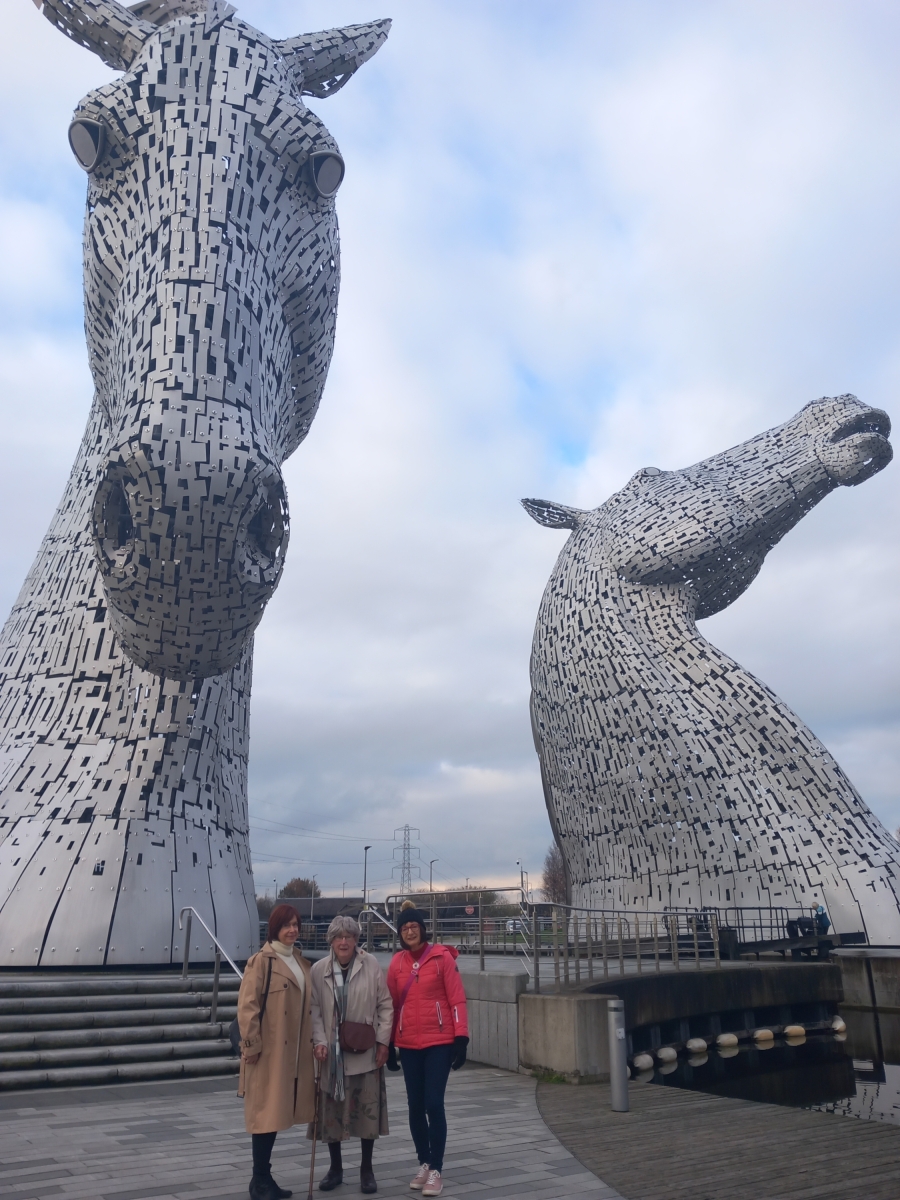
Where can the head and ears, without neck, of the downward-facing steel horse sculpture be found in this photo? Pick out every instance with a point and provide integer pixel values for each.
(212, 271)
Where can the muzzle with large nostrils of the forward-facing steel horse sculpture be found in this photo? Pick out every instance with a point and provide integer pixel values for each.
(189, 559)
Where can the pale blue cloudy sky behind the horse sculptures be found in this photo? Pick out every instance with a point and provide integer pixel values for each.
(580, 237)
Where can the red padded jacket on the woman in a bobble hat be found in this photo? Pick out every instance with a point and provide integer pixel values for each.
(435, 1010)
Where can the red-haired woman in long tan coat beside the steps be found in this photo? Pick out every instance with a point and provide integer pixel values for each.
(278, 1075)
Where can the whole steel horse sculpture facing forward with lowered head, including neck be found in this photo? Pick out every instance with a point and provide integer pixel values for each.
(212, 272)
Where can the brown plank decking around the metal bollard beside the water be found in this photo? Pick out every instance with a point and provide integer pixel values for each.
(680, 1145)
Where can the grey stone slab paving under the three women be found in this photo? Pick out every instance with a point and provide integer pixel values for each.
(187, 1142)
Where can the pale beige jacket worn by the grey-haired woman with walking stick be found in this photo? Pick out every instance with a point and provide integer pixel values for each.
(368, 1001)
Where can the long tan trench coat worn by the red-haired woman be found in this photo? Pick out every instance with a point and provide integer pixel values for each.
(279, 1090)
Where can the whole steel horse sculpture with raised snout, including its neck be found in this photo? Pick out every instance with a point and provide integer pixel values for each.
(674, 778)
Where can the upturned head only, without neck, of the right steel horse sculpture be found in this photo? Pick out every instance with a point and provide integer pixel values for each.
(706, 530)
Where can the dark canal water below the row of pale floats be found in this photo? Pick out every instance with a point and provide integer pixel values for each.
(856, 1075)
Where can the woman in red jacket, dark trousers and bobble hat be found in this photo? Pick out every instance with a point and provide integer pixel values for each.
(431, 1033)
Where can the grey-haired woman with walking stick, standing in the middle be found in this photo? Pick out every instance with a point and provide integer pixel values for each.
(349, 986)
